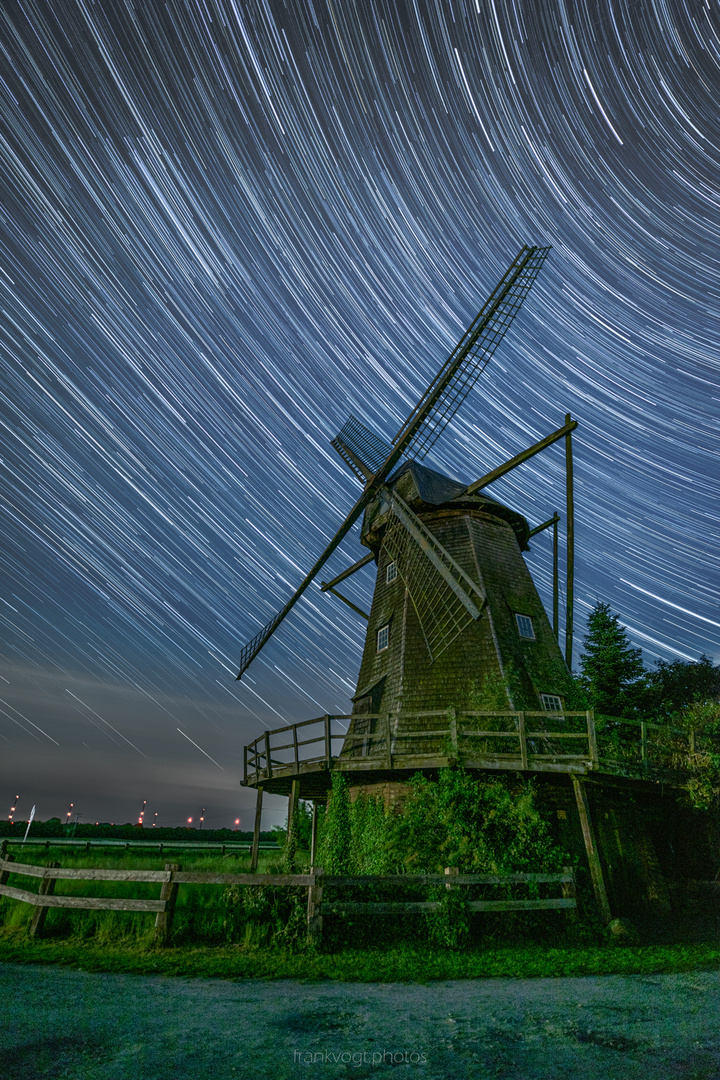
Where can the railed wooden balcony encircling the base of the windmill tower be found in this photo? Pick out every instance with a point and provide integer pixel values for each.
(395, 748)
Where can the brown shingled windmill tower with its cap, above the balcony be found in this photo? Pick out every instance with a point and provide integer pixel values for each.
(491, 666)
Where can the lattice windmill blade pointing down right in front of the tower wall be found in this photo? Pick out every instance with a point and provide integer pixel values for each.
(446, 599)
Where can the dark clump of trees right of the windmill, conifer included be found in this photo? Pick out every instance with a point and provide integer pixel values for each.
(617, 683)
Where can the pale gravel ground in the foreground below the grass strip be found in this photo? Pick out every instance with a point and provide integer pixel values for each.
(59, 1023)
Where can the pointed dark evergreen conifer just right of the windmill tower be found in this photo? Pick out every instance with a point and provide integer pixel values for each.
(612, 669)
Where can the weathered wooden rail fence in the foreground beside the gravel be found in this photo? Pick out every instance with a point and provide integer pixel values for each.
(173, 876)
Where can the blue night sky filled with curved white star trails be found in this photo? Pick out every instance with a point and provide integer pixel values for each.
(225, 226)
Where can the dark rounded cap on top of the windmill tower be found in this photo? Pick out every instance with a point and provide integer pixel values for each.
(427, 487)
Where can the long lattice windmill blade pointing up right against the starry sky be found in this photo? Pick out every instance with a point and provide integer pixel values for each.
(451, 387)
